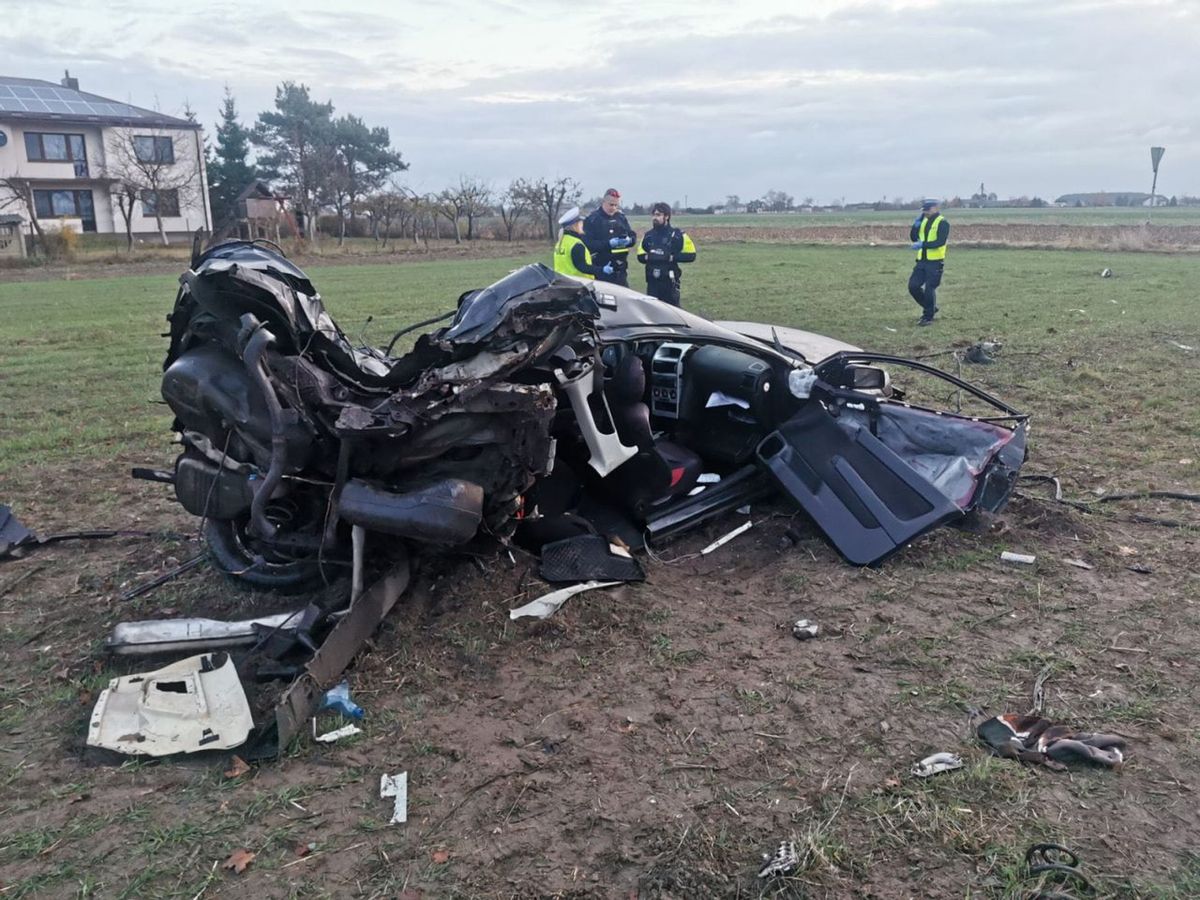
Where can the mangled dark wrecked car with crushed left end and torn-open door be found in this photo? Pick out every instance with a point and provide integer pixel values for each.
(548, 407)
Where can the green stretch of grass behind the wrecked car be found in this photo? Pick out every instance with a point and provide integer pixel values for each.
(81, 361)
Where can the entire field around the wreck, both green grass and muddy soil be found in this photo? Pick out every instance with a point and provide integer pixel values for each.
(652, 741)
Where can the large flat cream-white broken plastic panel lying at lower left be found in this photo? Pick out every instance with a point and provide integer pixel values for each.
(194, 705)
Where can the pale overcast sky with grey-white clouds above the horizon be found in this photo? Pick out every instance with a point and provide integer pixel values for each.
(674, 99)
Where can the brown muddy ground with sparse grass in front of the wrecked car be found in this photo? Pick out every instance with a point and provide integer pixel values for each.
(647, 741)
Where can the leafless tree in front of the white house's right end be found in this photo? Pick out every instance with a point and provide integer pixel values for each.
(147, 164)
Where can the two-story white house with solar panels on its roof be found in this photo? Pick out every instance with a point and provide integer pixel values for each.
(75, 153)
